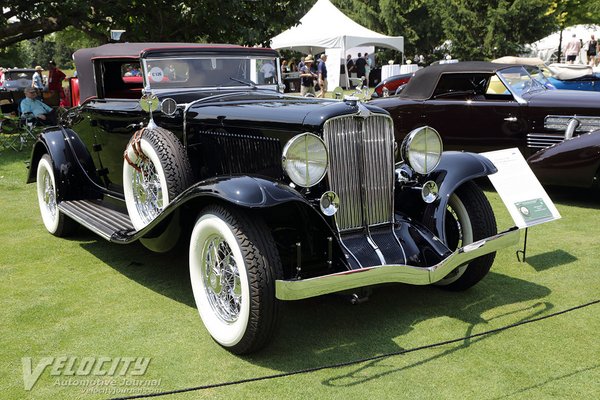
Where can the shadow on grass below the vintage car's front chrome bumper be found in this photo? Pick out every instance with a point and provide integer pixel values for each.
(329, 330)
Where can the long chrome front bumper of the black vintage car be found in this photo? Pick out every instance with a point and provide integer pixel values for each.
(311, 287)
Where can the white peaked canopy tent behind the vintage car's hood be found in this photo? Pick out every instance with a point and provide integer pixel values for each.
(325, 28)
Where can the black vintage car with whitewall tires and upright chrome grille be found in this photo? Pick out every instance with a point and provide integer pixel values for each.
(283, 197)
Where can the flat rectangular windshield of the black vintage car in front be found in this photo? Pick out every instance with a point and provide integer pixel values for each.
(199, 72)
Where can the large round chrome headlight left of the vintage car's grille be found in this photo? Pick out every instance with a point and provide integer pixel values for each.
(305, 159)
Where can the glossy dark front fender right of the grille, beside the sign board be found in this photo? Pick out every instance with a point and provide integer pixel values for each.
(456, 168)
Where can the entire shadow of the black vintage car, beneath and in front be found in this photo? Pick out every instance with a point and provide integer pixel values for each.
(328, 329)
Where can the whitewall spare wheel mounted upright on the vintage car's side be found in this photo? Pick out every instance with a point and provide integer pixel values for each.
(155, 170)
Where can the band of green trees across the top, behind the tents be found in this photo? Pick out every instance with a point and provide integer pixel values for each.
(475, 29)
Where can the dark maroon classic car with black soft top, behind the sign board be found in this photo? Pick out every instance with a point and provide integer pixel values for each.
(480, 106)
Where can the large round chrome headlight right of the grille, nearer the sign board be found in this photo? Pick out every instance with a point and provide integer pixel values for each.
(422, 149)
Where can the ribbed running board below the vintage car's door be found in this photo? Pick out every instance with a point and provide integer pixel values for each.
(99, 217)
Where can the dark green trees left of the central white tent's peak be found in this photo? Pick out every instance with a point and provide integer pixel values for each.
(225, 21)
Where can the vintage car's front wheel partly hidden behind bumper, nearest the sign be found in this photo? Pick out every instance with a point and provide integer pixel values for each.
(469, 217)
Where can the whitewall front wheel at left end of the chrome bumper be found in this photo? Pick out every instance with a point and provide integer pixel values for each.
(234, 264)
